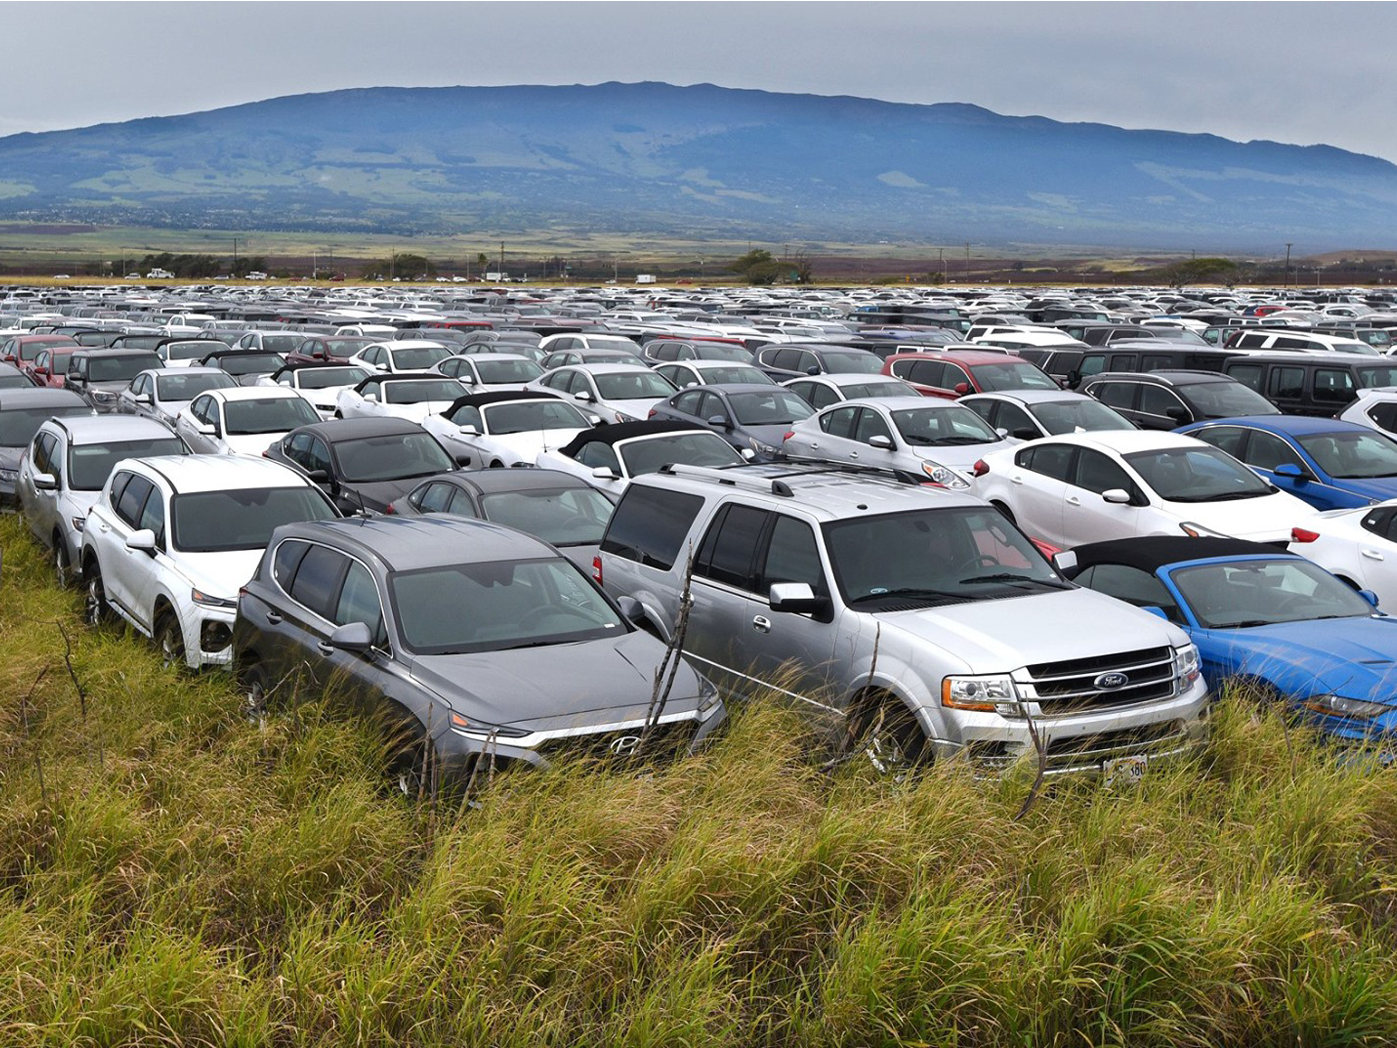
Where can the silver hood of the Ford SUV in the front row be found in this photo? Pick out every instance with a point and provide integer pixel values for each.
(1044, 627)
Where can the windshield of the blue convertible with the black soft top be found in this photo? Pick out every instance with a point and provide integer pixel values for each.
(1264, 593)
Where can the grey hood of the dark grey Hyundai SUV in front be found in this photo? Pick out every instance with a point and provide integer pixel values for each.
(558, 688)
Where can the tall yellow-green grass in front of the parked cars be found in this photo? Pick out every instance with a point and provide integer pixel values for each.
(173, 874)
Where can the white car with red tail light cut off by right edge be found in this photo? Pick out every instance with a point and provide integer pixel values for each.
(1360, 546)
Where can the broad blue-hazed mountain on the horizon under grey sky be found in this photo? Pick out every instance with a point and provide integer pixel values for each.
(695, 161)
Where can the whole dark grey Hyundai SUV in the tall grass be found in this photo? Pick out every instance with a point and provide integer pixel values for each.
(470, 639)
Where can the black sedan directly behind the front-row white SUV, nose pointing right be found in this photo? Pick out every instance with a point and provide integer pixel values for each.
(364, 465)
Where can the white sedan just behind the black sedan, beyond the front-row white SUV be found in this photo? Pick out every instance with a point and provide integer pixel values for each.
(242, 421)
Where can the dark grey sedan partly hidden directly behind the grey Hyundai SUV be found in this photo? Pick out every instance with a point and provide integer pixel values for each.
(551, 505)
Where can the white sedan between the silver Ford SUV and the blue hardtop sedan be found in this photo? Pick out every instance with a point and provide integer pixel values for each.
(1117, 484)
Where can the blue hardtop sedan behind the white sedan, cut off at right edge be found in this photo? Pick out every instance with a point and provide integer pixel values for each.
(1331, 465)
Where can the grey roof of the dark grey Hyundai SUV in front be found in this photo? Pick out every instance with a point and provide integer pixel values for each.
(406, 544)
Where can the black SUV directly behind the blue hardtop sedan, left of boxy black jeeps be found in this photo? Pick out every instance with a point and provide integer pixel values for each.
(1167, 400)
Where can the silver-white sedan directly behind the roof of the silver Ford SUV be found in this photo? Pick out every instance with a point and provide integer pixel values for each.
(919, 435)
